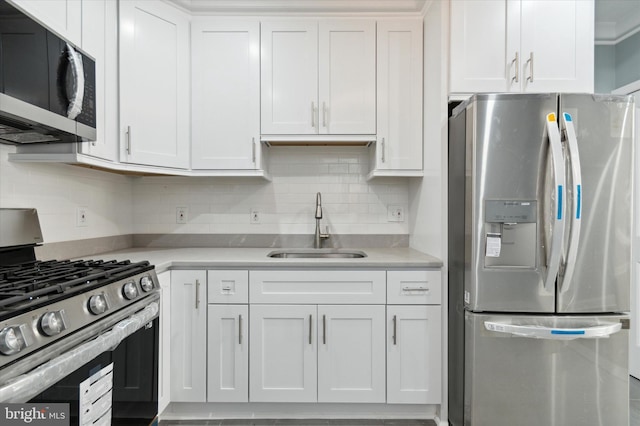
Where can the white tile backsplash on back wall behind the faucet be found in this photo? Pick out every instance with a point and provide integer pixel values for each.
(351, 205)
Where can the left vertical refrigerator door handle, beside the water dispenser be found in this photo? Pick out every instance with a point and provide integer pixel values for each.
(557, 228)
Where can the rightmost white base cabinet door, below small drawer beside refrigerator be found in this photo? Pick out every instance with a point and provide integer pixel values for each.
(414, 367)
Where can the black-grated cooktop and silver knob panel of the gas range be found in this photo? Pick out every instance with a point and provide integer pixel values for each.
(42, 302)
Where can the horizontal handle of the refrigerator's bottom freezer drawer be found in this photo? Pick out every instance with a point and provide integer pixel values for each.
(552, 333)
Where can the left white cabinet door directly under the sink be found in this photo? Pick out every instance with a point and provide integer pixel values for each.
(283, 354)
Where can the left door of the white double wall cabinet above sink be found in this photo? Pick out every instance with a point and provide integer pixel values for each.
(289, 77)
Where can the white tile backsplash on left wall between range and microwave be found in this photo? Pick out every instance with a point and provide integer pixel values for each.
(56, 190)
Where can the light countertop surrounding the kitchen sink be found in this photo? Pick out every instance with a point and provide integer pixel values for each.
(256, 258)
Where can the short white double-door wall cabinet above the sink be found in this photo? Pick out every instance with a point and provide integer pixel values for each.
(318, 77)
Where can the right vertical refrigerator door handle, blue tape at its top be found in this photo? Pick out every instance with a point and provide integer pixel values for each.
(576, 212)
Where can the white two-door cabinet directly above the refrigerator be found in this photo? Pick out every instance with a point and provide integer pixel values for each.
(522, 46)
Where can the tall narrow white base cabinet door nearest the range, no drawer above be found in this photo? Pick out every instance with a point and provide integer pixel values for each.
(188, 336)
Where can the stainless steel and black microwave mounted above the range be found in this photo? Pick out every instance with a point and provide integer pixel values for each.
(47, 85)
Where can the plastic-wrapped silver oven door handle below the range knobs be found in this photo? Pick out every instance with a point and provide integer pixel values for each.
(26, 386)
